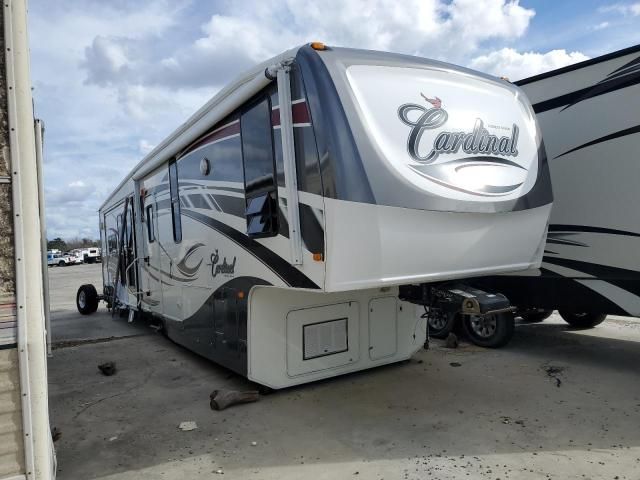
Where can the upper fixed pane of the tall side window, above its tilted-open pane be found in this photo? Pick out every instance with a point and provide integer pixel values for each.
(257, 149)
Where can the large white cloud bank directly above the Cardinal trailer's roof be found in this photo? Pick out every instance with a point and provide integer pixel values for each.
(230, 42)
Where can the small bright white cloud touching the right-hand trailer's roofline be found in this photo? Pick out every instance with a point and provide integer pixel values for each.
(514, 65)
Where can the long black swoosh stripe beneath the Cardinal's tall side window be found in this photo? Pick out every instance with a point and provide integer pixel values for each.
(282, 268)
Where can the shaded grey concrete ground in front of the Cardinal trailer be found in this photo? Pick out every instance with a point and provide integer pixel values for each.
(497, 404)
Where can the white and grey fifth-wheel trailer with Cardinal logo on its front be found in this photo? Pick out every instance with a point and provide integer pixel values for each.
(290, 227)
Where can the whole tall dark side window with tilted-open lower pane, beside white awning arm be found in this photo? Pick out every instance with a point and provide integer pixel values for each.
(259, 170)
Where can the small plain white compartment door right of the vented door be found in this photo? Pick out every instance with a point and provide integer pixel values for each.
(383, 327)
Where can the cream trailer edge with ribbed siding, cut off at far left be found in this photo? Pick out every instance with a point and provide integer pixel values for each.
(26, 450)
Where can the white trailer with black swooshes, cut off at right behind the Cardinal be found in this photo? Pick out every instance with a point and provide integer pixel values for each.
(589, 114)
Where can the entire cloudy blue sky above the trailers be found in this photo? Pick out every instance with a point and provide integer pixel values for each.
(112, 79)
